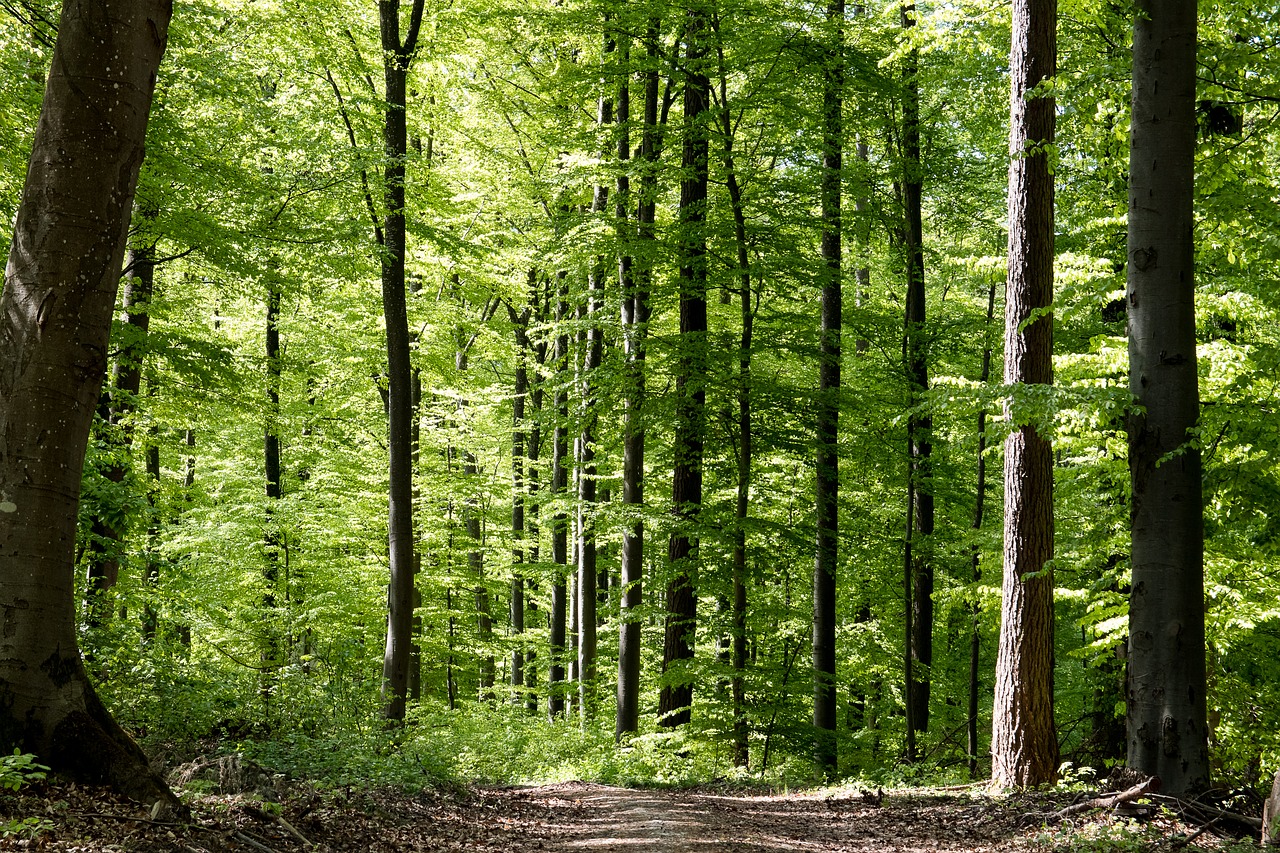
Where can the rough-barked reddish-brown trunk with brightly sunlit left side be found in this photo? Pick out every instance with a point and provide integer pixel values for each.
(1023, 746)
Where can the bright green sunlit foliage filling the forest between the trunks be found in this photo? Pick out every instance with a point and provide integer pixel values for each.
(259, 624)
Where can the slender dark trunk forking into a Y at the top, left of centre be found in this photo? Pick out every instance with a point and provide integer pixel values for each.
(397, 57)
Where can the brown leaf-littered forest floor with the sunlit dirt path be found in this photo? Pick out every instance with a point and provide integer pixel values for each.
(583, 818)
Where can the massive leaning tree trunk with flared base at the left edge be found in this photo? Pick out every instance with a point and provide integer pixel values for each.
(56, 316)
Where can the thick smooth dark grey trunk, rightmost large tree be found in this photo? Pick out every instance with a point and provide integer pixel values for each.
(1167, 724)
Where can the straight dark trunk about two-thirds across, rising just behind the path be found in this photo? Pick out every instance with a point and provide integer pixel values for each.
(828, 404)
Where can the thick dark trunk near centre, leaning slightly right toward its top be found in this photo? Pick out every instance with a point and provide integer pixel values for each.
(687, 494)
